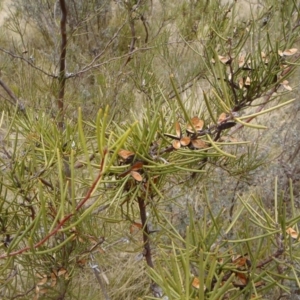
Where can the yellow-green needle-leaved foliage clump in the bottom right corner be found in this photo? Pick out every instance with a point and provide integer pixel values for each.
(215, 259)
